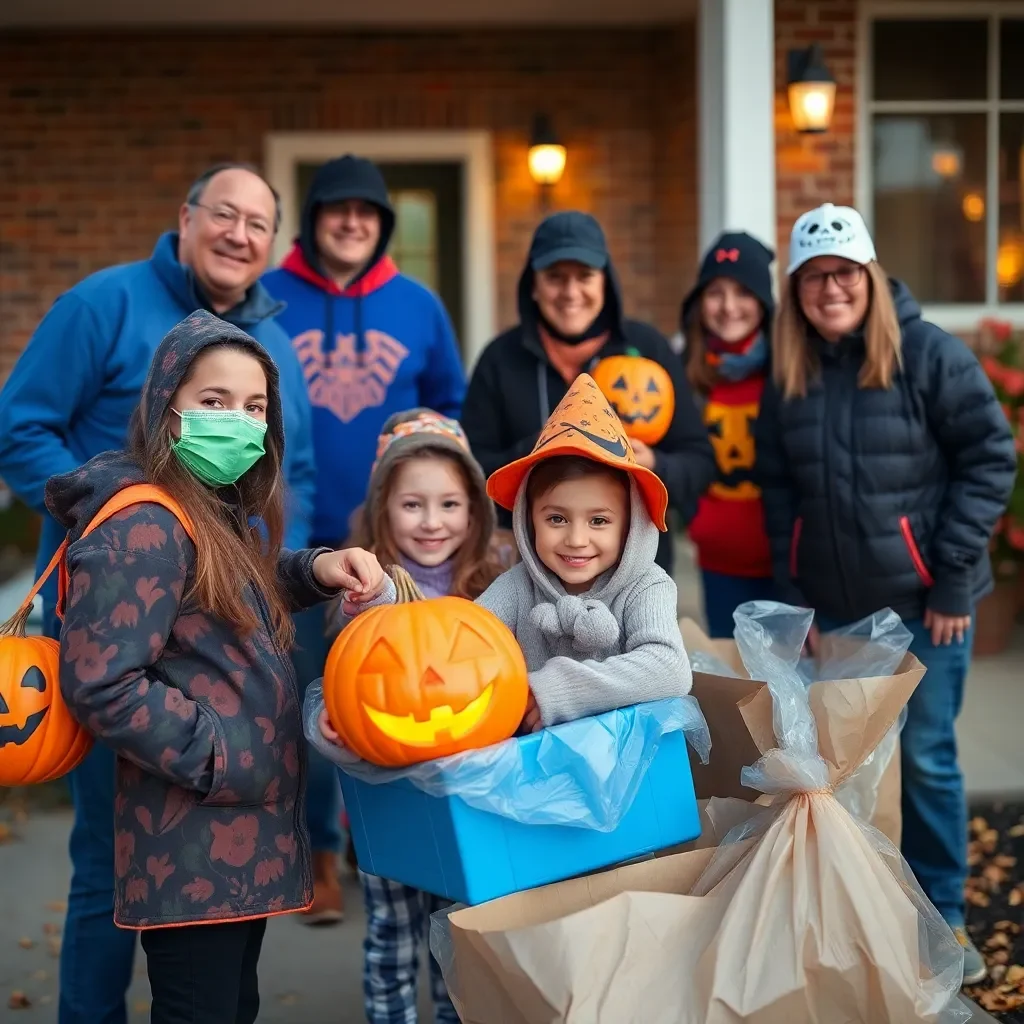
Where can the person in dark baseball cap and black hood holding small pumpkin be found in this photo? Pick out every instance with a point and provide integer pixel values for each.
(571, 318)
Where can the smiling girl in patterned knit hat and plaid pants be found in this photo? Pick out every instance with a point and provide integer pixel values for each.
(429, 511)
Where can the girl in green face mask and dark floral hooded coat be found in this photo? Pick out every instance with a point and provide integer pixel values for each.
(175, 653)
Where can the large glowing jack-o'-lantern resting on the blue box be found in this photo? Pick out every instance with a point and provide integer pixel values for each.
(412, 682)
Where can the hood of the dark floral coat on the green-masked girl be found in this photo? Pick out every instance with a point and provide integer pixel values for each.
(74, 499)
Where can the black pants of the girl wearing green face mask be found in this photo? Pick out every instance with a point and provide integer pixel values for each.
(205, 974)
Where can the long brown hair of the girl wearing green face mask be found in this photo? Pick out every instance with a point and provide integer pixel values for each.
(229, 551)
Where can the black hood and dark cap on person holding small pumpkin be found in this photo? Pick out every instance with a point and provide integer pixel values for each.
(577, 237)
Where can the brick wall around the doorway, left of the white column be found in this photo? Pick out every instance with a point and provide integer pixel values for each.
(102, 136)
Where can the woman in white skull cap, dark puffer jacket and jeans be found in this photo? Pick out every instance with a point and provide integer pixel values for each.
(885, 463)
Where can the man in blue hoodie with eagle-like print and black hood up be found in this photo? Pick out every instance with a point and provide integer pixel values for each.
(372, 343)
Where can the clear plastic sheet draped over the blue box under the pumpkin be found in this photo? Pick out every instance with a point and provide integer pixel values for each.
(583, 774)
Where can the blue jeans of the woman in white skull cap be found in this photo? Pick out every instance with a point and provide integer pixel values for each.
(934, 799)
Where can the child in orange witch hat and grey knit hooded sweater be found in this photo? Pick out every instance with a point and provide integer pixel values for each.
(594, 615)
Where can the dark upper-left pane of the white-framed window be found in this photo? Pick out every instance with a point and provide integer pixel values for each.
(930, 60)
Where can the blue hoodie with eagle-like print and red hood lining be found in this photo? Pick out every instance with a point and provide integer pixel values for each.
(381, 347)
